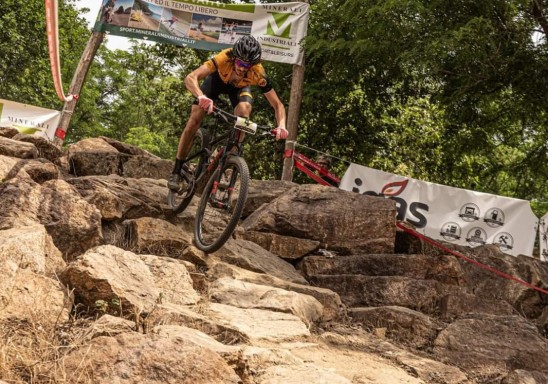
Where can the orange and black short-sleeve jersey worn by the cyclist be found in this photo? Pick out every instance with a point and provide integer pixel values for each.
(223, 63)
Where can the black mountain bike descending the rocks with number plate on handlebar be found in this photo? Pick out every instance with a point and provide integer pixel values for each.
(216, 169)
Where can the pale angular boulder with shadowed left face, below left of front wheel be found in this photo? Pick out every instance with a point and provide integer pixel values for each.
(111, 280)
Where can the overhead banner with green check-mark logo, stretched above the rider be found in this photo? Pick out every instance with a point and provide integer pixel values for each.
(279, 27)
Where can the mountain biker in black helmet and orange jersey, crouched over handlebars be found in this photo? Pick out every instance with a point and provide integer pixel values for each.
(232, 72)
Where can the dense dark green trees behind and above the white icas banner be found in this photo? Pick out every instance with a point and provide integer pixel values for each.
(480, 67)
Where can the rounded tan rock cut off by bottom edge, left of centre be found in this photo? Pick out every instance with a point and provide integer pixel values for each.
(132, 358)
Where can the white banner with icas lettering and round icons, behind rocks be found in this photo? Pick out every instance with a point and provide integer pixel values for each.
(455, 215)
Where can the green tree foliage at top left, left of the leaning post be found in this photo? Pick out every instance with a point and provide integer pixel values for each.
(25, 74)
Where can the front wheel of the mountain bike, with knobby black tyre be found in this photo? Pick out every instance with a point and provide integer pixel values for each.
(221, 205)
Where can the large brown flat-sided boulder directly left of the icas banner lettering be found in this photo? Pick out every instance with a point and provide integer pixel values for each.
(342, 221)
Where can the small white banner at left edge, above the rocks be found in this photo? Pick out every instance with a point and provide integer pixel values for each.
(29, 119)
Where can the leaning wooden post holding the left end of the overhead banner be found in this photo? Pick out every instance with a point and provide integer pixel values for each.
(76, 86)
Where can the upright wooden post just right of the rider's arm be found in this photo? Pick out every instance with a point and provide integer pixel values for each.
(295, 100)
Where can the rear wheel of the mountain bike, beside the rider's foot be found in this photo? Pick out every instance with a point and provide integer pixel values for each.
(179, 200)
